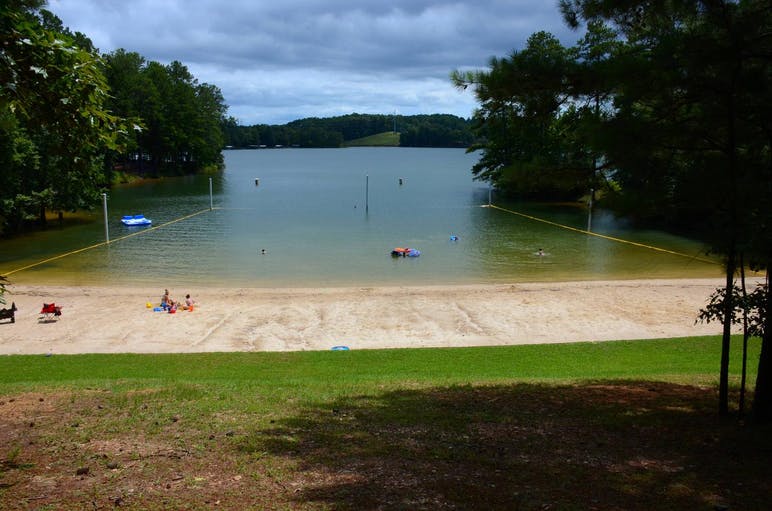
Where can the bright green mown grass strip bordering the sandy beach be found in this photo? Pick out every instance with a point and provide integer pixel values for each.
(689, 359)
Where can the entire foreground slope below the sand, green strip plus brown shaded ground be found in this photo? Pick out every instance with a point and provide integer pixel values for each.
(621, 425)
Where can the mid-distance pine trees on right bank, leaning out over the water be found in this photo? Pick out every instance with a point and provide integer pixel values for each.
(531, 106)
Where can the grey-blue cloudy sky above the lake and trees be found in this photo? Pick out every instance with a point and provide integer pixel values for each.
(280, 60)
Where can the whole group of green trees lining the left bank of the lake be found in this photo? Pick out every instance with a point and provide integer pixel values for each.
(70, 117)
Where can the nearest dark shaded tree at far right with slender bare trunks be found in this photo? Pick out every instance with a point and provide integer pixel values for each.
(691, 131)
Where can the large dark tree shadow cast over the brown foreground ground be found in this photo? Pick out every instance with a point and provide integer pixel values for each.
(606, 445)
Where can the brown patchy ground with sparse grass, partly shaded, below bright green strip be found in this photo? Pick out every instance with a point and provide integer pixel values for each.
(605, 446)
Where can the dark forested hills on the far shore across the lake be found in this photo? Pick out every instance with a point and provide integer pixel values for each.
(438, 130)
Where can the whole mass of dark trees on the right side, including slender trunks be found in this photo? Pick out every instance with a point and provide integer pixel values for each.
(664, 107)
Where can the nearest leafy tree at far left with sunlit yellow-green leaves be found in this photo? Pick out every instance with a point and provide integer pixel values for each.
(53, 120)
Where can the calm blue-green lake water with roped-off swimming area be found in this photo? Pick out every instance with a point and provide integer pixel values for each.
(330, 217)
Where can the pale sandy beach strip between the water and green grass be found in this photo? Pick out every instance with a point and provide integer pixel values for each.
(117, 320)
